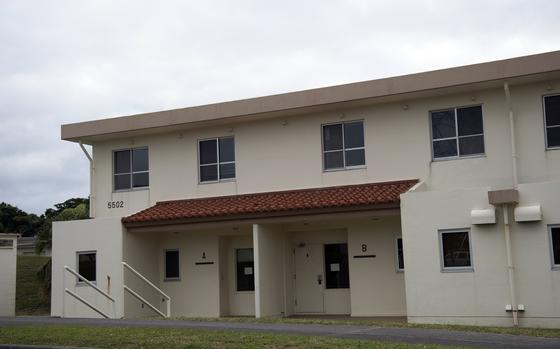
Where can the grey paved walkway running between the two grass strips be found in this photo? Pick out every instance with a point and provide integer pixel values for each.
(404, 335)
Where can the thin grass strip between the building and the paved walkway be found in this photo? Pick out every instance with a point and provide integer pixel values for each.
(535, 332)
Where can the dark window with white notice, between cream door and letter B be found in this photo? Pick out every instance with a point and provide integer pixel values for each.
(336, 266)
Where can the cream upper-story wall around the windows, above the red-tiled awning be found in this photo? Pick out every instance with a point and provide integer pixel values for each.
(285, 153)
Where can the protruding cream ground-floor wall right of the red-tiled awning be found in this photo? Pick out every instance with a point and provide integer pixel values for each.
(479, 297)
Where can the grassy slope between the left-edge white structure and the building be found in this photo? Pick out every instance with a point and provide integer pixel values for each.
(30, 299)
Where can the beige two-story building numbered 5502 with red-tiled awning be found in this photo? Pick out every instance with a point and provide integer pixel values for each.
(432, 196)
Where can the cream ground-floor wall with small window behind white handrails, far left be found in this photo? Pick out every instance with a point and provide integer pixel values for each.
(104, 236)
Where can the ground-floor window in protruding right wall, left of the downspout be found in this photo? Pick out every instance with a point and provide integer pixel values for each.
(455, 250)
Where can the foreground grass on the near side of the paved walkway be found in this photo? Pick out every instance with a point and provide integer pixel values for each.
(106, 337)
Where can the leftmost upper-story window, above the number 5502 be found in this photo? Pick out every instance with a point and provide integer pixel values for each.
(130, 169)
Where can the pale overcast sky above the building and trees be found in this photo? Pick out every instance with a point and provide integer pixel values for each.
(69, 61)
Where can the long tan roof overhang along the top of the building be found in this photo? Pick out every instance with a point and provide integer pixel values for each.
(521, 70)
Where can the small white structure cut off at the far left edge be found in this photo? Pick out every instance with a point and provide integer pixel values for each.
(8, 262)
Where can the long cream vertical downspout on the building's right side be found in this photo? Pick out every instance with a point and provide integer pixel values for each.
(505, 208)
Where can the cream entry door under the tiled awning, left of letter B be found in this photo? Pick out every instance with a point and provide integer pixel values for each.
(310, 279)
